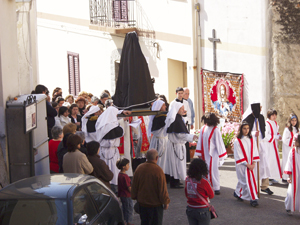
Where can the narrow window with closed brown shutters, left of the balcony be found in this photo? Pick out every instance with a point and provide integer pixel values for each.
(74, 73)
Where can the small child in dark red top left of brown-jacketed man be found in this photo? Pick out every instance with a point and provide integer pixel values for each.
(124, 189)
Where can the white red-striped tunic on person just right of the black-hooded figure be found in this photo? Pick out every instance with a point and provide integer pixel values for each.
(271, 137)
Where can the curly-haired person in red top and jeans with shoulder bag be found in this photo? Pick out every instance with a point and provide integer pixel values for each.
(197, 211)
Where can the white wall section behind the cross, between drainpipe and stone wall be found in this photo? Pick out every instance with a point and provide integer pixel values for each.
(241, 26)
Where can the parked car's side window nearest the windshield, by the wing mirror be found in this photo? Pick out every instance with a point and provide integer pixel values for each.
(83, 207)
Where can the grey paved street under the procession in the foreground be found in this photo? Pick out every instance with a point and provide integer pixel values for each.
(270, 210)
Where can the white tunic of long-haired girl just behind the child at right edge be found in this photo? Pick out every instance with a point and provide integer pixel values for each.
(287, 145)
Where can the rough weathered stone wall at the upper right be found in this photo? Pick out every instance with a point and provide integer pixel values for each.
(284, 58)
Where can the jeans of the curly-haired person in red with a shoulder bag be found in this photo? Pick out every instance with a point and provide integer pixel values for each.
(198, 216)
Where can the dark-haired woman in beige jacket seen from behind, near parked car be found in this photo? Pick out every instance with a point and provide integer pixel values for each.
(75, 161)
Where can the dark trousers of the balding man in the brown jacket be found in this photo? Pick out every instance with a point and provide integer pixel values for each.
(151, 215)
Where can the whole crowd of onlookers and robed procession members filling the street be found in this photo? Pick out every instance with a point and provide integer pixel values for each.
(87, 136)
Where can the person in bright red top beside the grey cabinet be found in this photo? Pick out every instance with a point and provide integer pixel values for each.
(57, 136)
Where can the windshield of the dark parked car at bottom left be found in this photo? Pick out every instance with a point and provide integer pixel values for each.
(33, 211)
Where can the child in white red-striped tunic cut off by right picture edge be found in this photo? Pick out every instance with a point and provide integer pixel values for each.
(292, 168)
